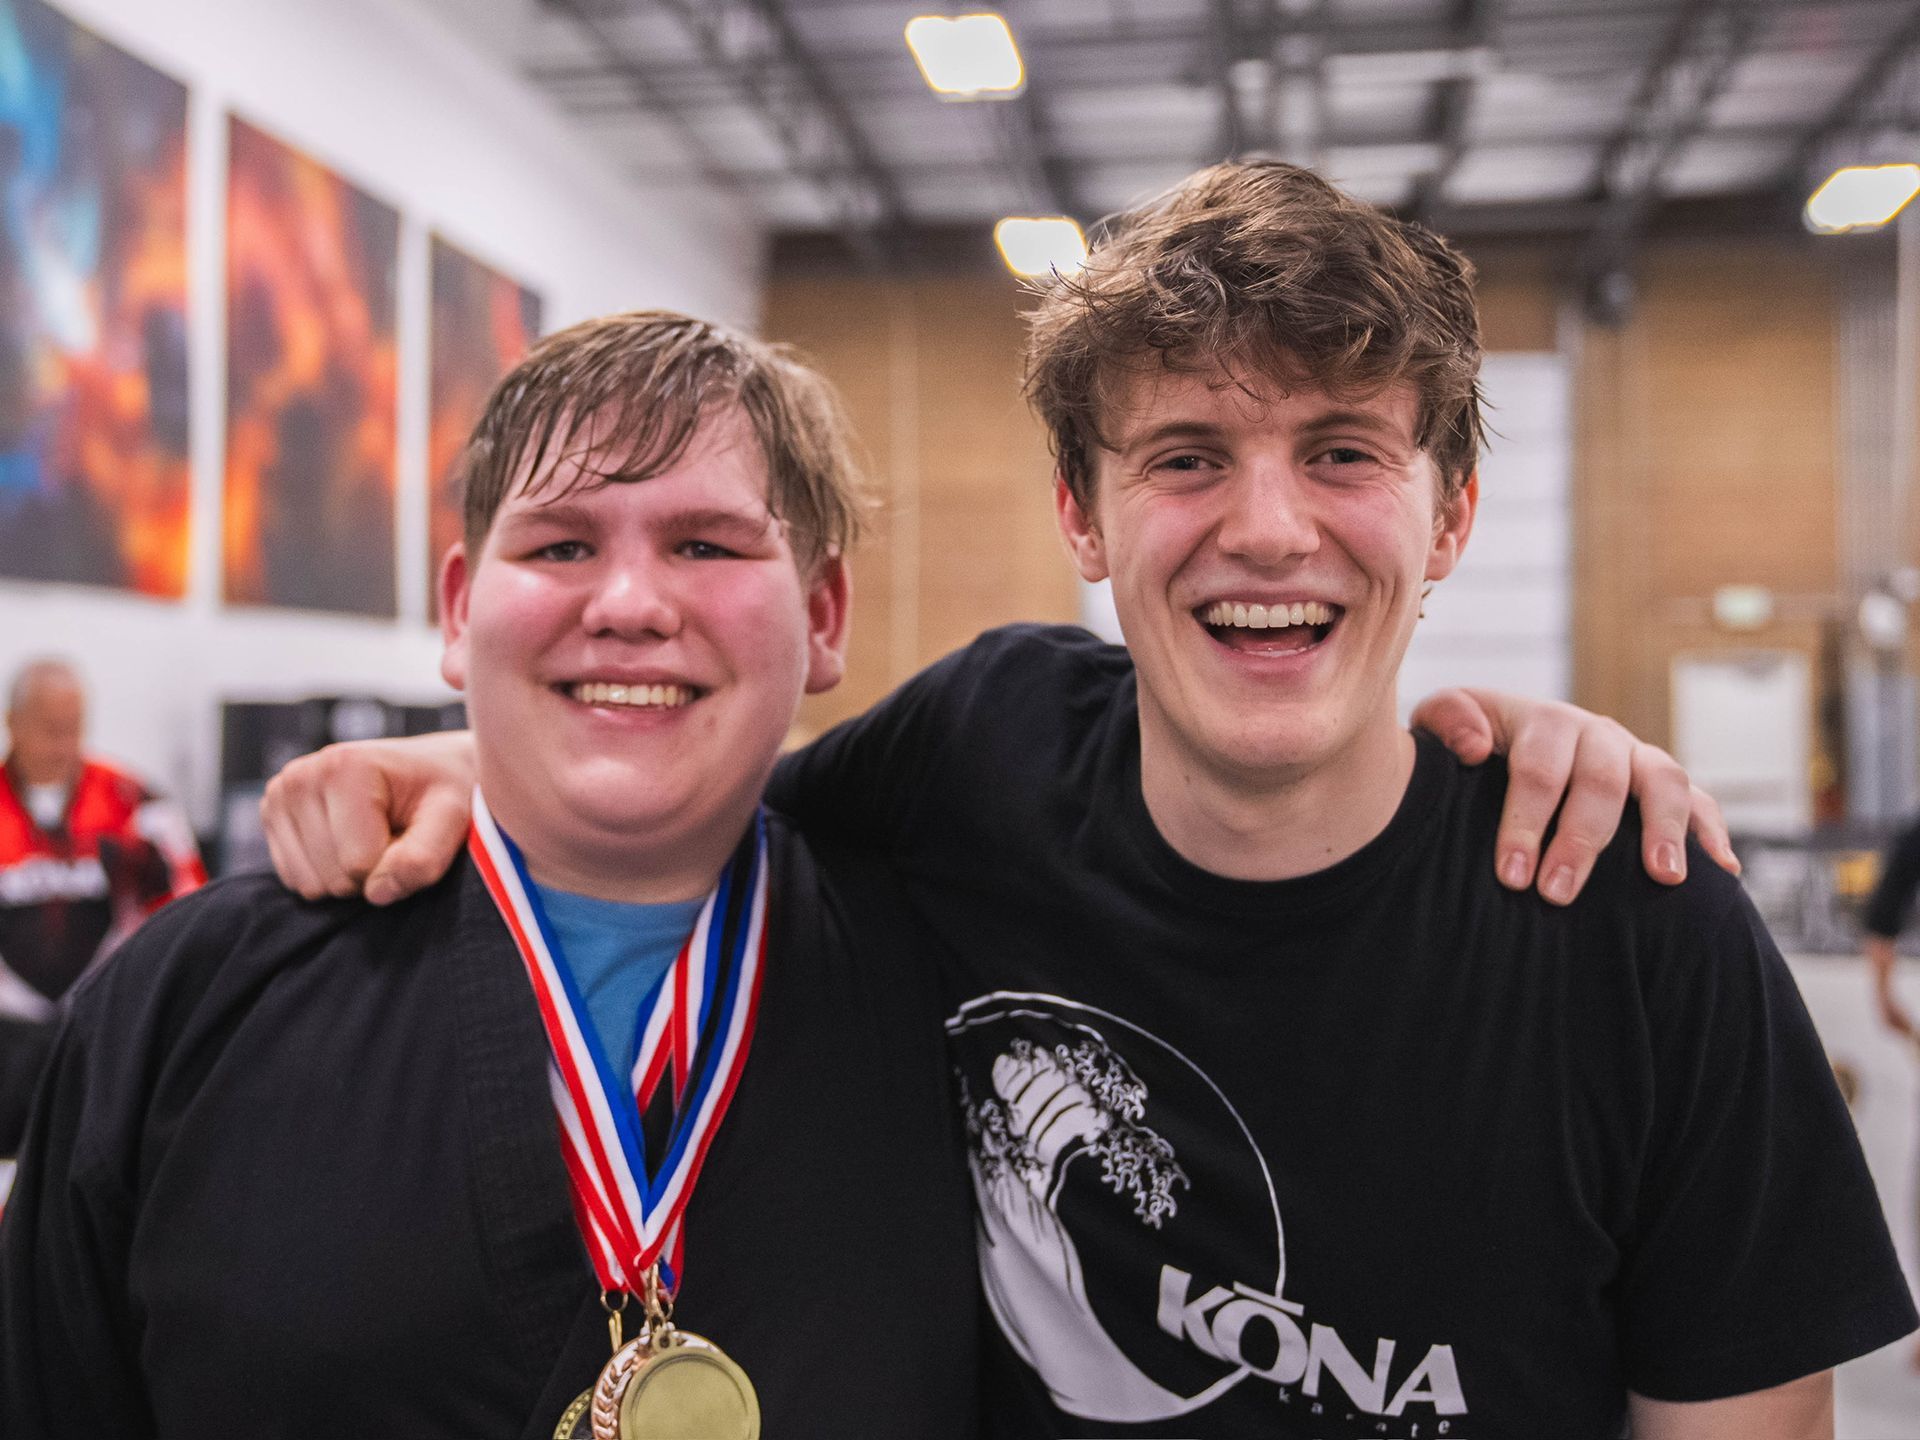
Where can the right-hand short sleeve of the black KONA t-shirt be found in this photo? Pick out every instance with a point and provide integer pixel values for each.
(1760, 1251)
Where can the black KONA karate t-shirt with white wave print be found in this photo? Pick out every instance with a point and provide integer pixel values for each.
(1383, 1151)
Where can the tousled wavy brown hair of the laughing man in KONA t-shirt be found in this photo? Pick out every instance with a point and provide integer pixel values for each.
(1264, 272)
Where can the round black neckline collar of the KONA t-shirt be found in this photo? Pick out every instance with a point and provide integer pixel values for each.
(1416, 815)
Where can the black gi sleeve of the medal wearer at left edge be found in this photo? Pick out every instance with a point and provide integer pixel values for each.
(68, 1339)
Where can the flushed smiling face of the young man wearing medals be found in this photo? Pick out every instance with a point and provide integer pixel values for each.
(633, 658)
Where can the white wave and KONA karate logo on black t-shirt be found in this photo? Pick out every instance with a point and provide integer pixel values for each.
(1109, 1174)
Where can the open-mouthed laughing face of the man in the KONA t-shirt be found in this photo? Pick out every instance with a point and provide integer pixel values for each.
(1268, 556)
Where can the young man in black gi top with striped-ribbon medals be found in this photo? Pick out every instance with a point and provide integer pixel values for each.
(635, 1126)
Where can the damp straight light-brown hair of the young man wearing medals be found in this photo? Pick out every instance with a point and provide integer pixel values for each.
(625, 396)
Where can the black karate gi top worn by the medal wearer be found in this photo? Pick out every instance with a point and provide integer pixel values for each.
(297, 1174)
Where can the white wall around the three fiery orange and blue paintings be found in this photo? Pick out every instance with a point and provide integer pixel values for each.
(414, 114)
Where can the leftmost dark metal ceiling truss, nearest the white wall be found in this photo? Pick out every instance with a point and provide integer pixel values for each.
(756, 49)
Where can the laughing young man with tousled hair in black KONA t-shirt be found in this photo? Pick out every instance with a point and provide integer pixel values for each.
(1287, 1116)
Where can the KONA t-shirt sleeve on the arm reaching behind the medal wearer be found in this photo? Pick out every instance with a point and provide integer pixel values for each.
(867, 780)
